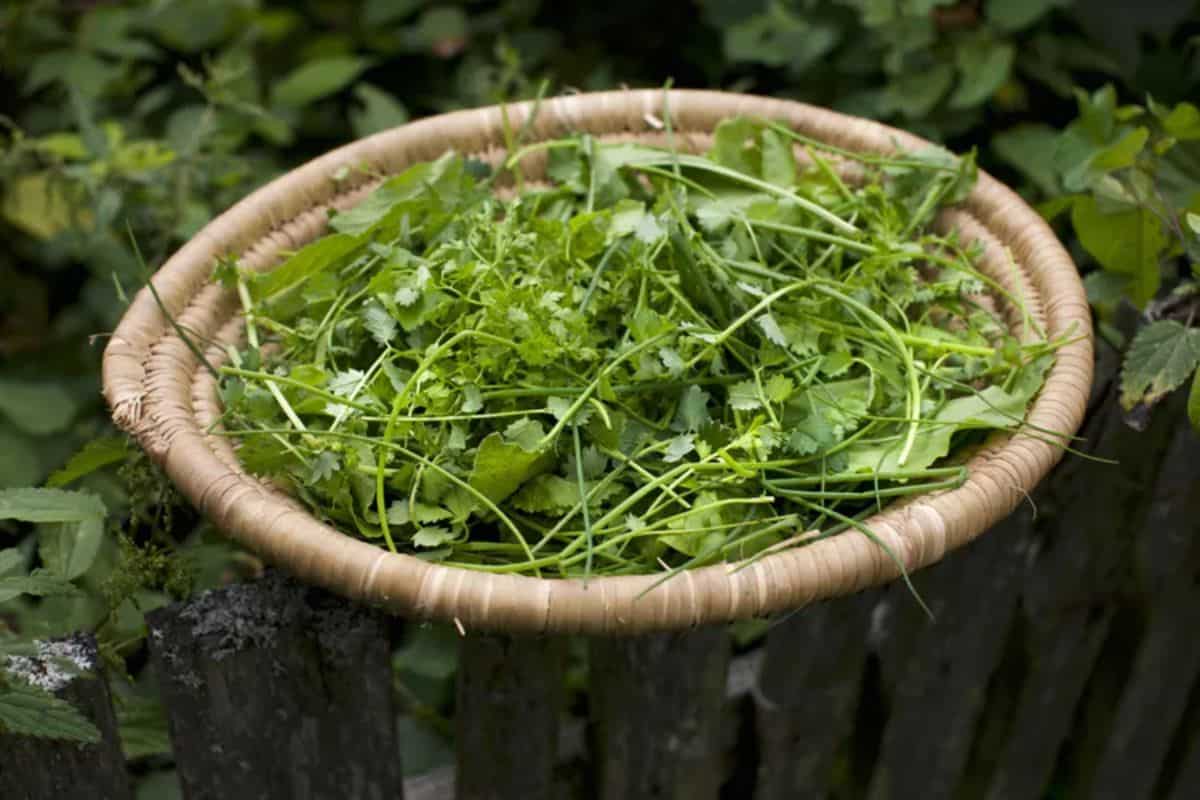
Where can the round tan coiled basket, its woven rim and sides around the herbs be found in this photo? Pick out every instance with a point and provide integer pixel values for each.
(161, 393)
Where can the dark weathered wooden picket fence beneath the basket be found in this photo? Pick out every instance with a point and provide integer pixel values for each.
(1063, 663)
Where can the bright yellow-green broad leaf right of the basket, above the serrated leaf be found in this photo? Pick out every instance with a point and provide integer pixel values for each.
(1129, 243)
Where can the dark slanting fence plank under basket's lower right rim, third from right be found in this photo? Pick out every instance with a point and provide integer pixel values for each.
(941, 694)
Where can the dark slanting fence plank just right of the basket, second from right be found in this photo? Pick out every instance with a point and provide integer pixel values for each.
(1087, 514)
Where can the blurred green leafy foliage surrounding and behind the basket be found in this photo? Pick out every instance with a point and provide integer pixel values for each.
(127, 121)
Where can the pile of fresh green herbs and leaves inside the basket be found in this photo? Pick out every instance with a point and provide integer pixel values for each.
(653, 360)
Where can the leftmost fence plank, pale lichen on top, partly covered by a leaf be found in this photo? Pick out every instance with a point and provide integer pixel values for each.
(46, 769)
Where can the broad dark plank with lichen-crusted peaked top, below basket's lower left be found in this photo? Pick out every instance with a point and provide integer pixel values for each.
(278, 690)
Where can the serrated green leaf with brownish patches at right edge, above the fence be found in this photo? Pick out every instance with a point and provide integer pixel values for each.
(1161, 358)
